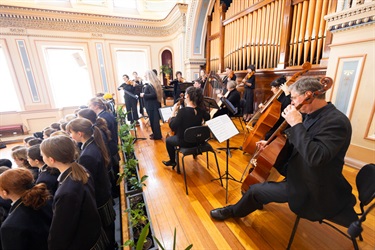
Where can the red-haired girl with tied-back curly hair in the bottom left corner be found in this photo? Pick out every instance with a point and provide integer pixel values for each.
(30, 216)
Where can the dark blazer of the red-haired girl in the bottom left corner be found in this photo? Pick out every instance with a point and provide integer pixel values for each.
(26, 228)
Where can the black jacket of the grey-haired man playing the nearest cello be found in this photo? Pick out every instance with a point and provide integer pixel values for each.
(317, 189)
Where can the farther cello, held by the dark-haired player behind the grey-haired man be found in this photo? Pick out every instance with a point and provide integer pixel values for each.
(266, 117)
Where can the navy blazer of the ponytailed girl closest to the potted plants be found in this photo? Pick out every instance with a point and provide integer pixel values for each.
(91, 158)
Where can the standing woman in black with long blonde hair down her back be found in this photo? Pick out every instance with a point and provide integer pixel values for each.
(153, 94)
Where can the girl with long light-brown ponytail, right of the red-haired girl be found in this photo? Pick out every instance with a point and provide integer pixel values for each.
(76, 222)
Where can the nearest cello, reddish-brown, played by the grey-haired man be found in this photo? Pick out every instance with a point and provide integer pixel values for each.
(274, 154)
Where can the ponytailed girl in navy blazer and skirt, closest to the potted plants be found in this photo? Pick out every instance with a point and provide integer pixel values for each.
(95, 158)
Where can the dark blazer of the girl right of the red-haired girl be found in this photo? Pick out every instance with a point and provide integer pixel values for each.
(76, 222)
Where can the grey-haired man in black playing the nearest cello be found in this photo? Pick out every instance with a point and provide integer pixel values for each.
(315, 187)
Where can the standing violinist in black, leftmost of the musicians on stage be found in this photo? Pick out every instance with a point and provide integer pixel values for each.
(130, 99)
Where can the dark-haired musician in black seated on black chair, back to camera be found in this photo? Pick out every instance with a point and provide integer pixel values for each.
(193, 114)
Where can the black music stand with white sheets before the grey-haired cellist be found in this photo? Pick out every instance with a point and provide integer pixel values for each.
(223, 128)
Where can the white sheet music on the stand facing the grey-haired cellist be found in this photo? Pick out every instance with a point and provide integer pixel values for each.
(222, 127)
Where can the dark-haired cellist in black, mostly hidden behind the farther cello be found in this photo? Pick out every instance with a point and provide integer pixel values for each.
(284, 99)
